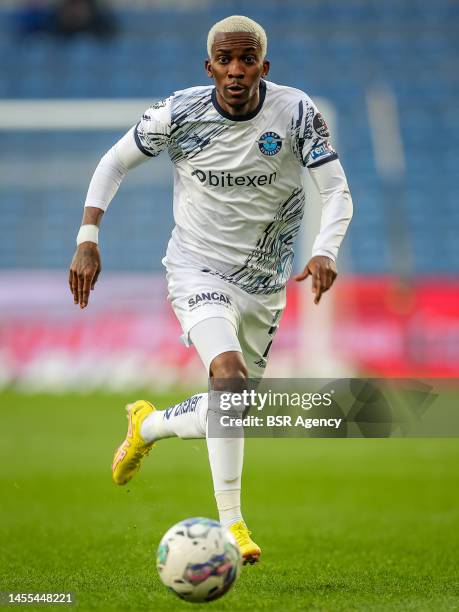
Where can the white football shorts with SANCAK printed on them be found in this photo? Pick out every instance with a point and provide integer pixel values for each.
(196, 296)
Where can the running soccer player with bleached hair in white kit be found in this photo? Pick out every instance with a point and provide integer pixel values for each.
(238, 148)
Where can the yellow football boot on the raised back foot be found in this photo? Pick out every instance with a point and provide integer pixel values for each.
(129, 455)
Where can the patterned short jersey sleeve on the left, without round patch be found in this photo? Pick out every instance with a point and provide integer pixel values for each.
(152, 133)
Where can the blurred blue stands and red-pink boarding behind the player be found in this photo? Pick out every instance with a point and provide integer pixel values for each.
(394, 64)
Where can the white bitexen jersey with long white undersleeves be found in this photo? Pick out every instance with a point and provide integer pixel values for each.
(238, 184)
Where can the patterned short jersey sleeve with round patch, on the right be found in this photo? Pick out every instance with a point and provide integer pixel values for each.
(310, 135)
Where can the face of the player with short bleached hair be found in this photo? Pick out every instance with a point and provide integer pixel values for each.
(237, 66)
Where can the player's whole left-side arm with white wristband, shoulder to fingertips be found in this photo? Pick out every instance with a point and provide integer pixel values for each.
(146, 140)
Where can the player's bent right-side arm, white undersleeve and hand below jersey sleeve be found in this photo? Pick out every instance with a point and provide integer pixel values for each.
(330, 180)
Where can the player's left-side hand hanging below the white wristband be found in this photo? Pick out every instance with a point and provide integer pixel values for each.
(84, 272)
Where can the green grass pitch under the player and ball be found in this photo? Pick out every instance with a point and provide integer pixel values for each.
(343, 524)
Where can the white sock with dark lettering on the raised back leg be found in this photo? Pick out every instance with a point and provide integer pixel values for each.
(185, 420)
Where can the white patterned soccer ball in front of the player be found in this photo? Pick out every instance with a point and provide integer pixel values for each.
(198, 560)
